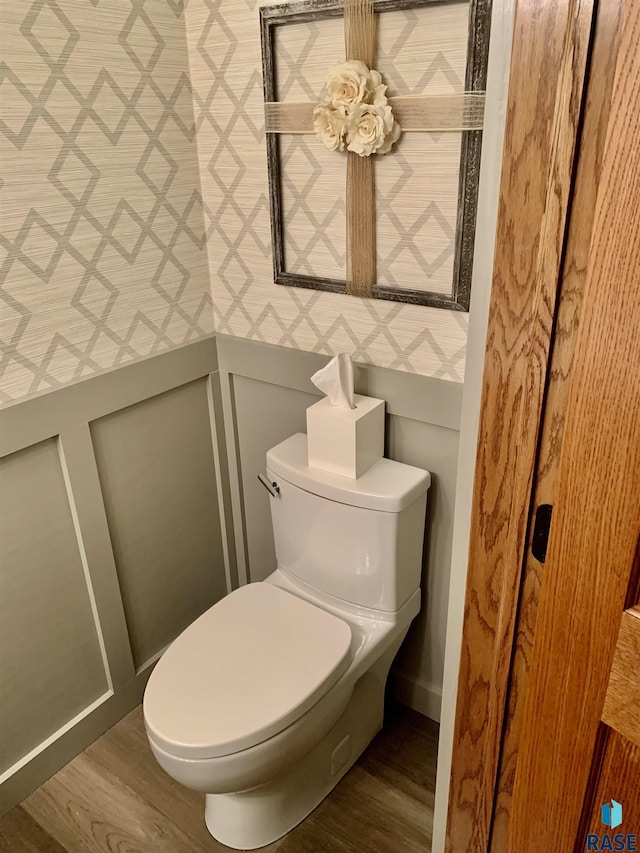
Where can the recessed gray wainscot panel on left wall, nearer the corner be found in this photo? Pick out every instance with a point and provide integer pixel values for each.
(156, 461)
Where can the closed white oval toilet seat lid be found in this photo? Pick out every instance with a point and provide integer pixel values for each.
(248, 667)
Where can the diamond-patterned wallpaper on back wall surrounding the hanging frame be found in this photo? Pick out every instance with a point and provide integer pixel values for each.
(225, 60)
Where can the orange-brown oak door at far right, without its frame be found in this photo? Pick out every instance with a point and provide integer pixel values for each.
(580, 742)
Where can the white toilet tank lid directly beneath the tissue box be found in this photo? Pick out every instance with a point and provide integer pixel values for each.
(387, 486)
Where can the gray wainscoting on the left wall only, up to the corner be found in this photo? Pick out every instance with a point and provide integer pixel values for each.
(111, 495)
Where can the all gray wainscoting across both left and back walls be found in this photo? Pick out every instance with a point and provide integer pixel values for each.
(130, 503)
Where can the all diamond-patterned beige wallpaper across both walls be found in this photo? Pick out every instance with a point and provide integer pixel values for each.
(134, 203)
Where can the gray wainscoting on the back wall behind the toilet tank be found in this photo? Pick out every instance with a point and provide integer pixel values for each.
(265, 392)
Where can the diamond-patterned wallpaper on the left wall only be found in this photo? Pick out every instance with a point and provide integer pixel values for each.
(102, 246)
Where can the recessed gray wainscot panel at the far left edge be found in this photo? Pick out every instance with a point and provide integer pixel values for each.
(51, 662)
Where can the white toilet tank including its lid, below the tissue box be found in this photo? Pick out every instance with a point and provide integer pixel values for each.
(359, 540)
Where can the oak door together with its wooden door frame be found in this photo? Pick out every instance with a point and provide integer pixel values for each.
(547, 726)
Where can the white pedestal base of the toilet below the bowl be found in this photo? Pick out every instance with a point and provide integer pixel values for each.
(255, 818)
